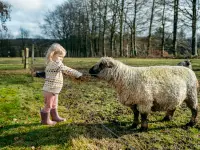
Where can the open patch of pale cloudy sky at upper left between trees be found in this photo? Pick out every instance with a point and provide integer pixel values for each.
(28, 14)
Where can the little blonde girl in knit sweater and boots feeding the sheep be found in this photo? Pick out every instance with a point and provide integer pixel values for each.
(54, 82)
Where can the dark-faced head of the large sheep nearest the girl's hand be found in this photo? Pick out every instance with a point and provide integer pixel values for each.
(100, 67)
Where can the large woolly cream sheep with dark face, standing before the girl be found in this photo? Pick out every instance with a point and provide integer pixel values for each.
(146, 89)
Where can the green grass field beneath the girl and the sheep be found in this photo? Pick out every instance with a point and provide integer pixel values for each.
(87, 106)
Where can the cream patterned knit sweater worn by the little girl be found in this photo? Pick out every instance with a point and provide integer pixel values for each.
(54, 77)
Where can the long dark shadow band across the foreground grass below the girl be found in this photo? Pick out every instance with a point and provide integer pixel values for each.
(62, 134)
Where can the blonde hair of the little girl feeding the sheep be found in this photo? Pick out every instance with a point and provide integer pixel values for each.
(54, 49)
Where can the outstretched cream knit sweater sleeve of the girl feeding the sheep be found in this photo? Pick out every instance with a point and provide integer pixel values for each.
(69, 71)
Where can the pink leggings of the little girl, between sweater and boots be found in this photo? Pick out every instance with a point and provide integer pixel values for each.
(51, 101)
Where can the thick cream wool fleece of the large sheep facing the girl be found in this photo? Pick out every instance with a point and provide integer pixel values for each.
(164, 87)
